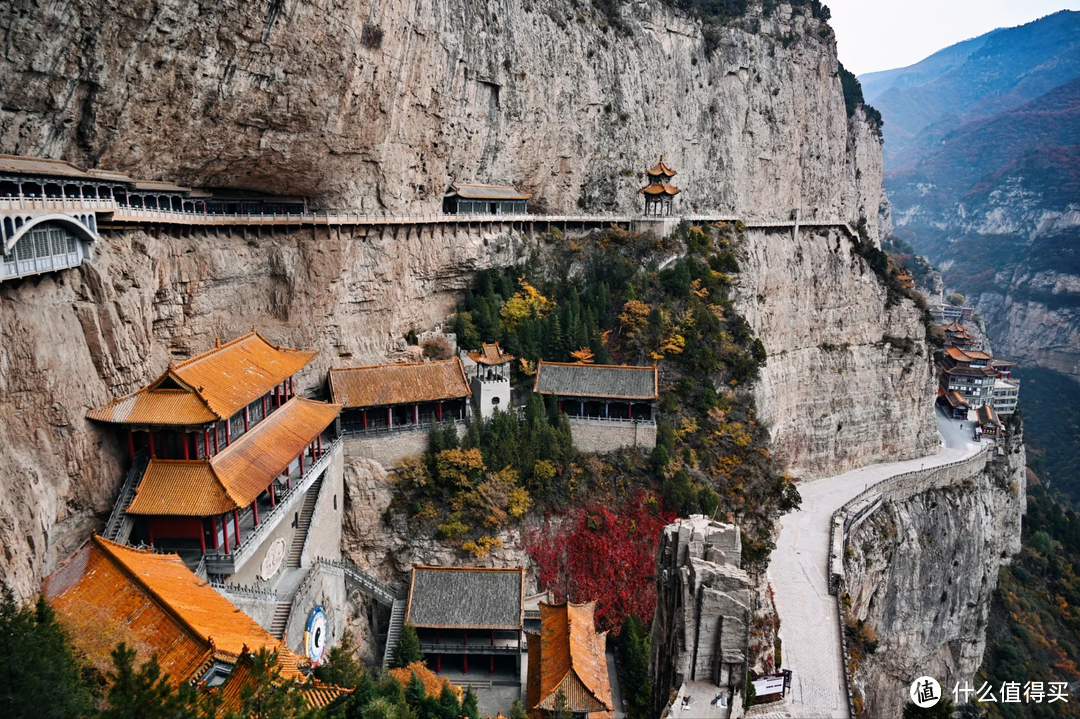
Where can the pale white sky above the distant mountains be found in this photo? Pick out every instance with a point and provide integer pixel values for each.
(881, 35)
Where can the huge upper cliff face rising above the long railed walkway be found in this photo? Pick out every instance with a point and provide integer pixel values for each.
(381, 105)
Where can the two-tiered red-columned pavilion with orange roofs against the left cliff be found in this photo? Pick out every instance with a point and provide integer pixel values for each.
(218, 444)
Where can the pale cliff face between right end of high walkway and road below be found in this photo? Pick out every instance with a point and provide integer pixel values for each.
(849, 381)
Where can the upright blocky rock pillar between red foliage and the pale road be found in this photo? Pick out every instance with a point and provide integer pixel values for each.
(701, 625)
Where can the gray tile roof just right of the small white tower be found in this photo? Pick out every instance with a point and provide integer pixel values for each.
(572, 381)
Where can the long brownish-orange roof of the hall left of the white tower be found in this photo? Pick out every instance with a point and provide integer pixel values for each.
(379, 386)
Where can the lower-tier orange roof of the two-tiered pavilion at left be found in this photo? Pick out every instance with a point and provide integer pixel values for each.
(238, 474)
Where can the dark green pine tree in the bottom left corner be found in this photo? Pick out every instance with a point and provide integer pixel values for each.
(39, 675)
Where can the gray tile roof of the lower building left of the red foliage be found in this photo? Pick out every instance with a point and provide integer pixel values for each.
(466, 599)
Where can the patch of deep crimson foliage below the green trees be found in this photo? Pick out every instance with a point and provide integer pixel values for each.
(603, 554)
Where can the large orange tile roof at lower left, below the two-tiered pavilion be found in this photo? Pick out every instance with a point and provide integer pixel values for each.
(107, 593)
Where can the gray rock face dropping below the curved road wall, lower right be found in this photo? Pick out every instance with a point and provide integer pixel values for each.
(922, 574)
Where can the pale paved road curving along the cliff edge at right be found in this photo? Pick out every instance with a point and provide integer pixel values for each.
(799, 572)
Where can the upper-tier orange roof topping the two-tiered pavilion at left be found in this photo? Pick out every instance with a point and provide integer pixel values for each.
(209, 387)
